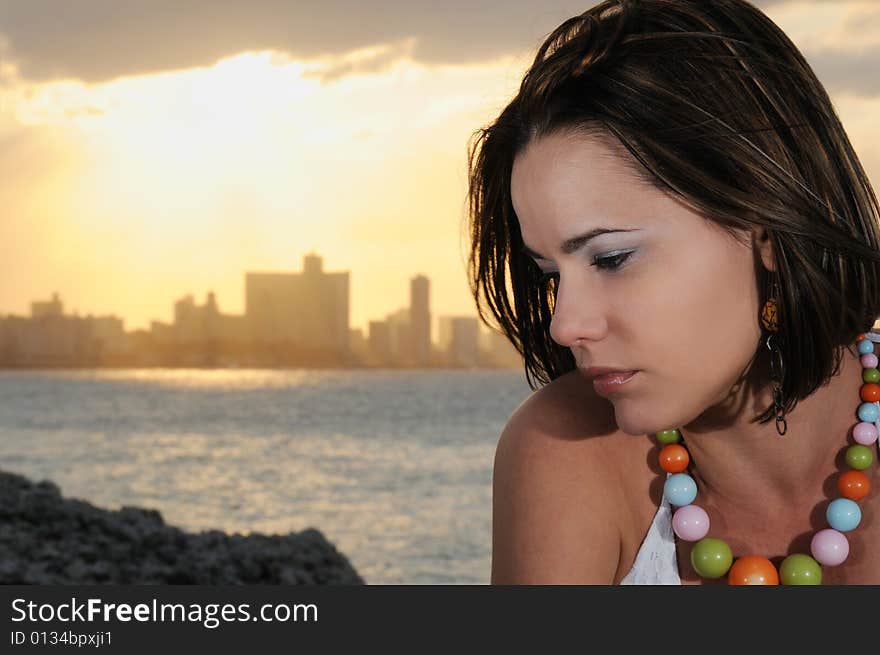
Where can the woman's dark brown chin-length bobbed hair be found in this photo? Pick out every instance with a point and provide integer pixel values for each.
(717, 106)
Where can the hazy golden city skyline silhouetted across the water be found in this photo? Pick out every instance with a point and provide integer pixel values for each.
(291, 319)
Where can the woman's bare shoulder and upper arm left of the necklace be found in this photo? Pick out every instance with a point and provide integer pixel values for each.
(558, 489)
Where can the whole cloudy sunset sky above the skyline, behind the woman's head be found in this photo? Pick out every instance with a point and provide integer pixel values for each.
(152, 149)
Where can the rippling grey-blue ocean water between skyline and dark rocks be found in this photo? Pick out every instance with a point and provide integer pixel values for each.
(394, 467)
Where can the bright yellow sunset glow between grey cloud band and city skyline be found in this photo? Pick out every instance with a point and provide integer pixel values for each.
(178, 182)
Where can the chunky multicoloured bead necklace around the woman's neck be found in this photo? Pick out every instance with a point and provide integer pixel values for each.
(712, 557)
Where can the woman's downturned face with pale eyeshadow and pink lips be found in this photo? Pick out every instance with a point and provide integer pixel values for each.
(665, 292)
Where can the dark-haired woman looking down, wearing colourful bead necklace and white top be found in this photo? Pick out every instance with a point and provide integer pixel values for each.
(671, 197)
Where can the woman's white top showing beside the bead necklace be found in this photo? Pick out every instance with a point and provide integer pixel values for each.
(655, 562)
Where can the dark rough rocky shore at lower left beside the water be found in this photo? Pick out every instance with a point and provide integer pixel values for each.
(48, 539)
